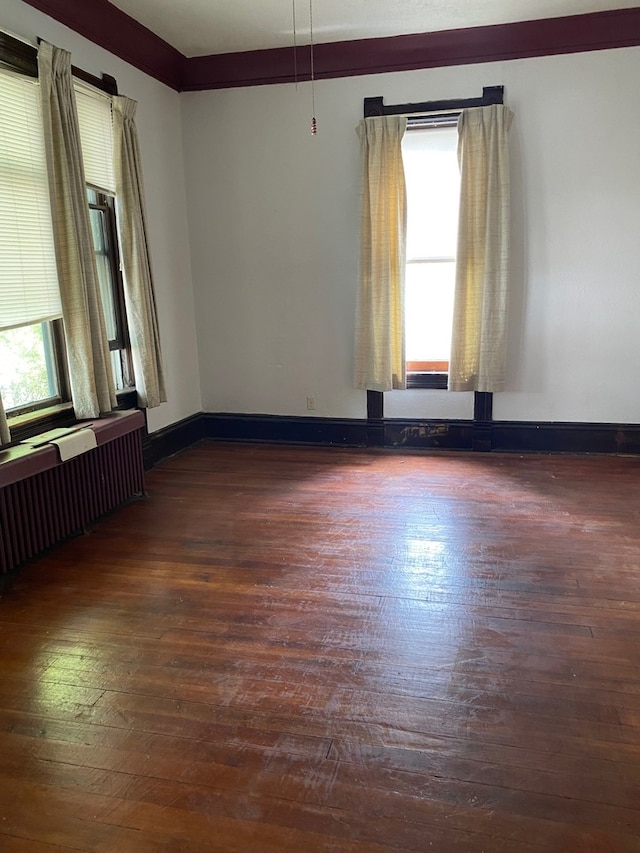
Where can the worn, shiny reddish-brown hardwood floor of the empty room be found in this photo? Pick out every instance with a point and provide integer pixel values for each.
(290, 650)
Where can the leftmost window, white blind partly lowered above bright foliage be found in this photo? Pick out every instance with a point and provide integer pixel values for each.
(32, 360)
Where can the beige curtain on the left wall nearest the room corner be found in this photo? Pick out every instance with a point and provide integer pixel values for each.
(138, 283)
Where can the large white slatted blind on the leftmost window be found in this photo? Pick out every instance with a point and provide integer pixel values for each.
(28, 279)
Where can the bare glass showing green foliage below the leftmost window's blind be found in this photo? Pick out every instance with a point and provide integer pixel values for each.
(27, 372)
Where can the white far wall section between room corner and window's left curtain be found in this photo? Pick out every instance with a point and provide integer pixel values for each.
(268, 210)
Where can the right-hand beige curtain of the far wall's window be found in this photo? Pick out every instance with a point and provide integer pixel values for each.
(478, 343)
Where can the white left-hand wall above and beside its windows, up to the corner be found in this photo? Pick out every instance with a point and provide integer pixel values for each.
(158, 119)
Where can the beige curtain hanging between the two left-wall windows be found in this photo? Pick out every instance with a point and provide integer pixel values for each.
(92, 386)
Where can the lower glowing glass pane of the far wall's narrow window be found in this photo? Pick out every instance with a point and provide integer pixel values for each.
(429, 290)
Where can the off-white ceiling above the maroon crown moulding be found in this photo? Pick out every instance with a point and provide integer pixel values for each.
(204, 27)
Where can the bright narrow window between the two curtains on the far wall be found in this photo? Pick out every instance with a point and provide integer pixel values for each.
(429, 152)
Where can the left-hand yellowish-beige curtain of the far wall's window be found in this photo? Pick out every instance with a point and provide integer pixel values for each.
(379, 339)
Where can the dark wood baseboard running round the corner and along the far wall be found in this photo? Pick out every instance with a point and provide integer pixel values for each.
(499, 436)
